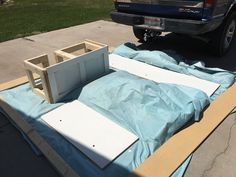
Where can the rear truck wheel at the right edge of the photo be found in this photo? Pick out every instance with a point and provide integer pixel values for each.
(224, 35)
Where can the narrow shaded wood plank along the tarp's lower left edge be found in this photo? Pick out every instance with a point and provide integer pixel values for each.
(61, 166)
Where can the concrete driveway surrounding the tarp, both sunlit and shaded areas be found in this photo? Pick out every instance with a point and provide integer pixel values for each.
(215, 157)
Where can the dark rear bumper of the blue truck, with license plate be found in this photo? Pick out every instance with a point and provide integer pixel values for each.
(184, 26)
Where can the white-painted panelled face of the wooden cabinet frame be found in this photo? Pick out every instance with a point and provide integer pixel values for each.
(70, 74)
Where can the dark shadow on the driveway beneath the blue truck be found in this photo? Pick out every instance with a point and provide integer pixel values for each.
(193, 49)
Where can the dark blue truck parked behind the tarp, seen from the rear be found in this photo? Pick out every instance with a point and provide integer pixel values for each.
(213, 20)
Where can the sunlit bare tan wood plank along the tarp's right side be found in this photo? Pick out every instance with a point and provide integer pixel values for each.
(172, 153)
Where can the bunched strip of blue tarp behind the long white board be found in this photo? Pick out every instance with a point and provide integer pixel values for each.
(177, 64)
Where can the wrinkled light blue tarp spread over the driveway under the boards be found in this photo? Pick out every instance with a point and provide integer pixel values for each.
(152, 111)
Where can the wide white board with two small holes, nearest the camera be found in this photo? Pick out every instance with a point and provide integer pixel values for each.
(99, 138)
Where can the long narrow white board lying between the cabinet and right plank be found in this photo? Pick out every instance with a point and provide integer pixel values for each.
(160, 75)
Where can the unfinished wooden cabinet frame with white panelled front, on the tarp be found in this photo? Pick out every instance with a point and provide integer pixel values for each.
(70, 71)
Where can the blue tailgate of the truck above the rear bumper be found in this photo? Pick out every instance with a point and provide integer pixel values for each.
(188, 9)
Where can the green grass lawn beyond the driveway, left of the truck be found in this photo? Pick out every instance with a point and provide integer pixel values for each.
(21, 18)
